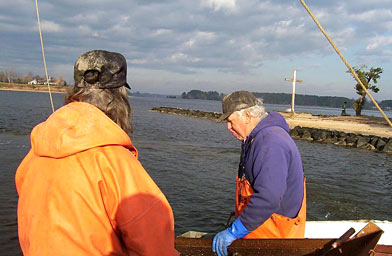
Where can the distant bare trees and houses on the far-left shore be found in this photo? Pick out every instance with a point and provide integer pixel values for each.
(11, 76)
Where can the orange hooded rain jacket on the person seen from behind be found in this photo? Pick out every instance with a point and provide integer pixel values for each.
(82, 191)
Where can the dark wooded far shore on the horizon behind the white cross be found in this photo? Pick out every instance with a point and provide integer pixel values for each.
(285, 99)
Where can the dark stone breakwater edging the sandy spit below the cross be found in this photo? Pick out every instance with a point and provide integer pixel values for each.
(340, 138)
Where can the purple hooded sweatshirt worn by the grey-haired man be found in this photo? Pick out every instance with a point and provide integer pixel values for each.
(271, 162)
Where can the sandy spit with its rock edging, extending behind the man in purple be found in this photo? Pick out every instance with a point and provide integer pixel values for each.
(365, 132)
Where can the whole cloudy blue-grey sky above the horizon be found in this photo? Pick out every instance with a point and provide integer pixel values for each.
(173, 46)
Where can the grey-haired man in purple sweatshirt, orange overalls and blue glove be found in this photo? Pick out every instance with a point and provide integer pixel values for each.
(270, 194)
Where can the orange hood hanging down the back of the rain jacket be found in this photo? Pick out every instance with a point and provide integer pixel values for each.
(76, 127)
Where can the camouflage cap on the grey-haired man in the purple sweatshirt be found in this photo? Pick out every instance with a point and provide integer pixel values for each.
(236, 101)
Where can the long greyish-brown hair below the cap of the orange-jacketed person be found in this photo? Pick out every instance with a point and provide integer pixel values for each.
(113, 102)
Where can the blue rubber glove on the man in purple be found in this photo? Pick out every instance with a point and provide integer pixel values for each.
(224, 238)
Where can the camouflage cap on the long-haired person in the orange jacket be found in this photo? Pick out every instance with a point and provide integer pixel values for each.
(102, 69)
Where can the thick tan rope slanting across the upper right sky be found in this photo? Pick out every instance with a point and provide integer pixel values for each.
(345, 62)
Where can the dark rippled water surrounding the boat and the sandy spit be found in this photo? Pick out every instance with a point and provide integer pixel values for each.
(194, 163)
